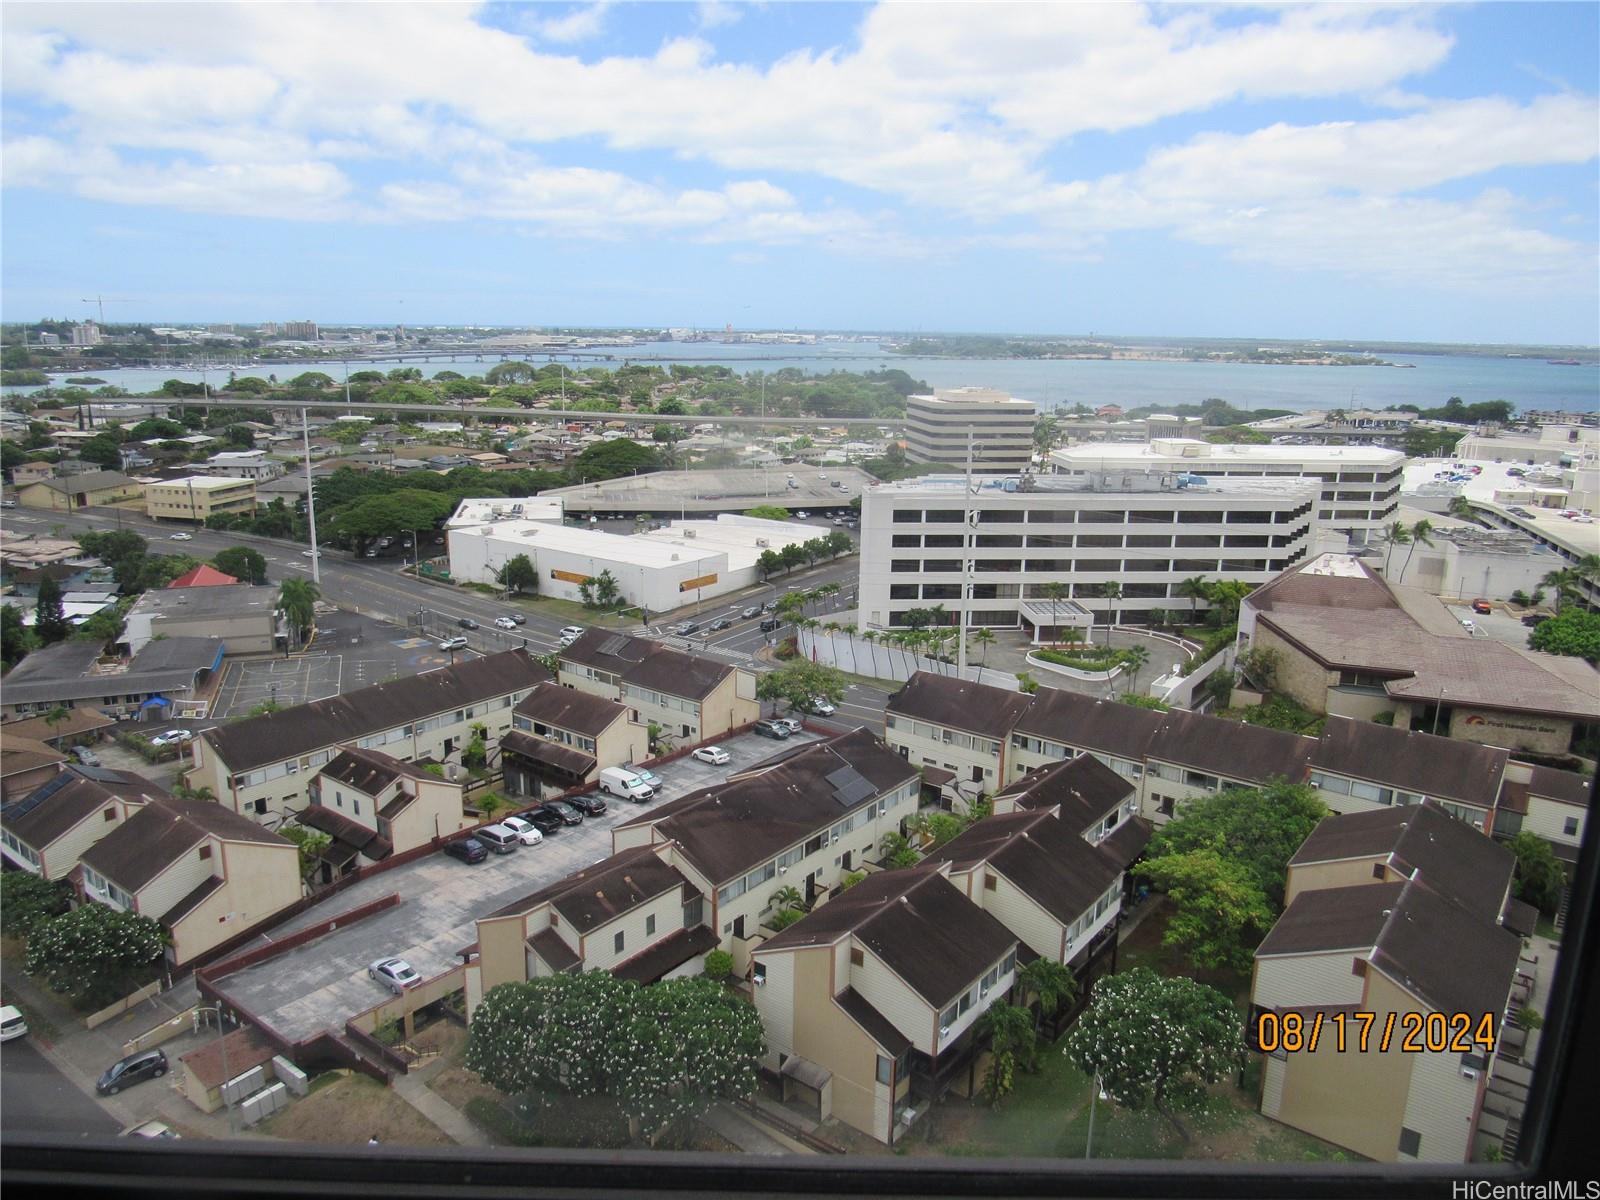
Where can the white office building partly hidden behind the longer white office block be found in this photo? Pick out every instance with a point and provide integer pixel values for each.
(1359, 486)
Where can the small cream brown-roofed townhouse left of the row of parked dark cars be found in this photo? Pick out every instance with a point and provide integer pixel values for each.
(375, 806)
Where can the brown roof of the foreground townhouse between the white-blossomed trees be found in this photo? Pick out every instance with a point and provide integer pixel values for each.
(918, 922)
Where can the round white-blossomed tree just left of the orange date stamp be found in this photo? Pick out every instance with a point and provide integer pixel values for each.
(1158, 1041)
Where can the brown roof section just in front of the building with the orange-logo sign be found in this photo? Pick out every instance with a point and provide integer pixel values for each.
(1417, 762)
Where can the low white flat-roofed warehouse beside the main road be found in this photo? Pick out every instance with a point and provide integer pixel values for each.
(663, 570)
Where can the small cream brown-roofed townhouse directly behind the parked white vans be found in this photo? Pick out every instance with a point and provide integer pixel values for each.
(564, 738)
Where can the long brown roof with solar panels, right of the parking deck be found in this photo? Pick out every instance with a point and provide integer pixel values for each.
(742, 823)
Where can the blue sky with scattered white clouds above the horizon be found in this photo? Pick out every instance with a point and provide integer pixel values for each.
(1332, 172)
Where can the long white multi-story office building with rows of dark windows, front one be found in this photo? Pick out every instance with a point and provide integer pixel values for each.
(1145, 530)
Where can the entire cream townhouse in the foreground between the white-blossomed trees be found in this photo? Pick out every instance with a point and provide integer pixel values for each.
(870, 1004)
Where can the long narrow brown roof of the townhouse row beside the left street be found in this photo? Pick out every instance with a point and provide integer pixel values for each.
(340, 719)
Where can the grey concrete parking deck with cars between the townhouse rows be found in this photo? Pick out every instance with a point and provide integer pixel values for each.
(321, 985)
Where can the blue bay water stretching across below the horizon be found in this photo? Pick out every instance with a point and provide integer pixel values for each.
(1428, 382)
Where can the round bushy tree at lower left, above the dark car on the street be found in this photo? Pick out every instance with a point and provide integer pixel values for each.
(95, 953)
